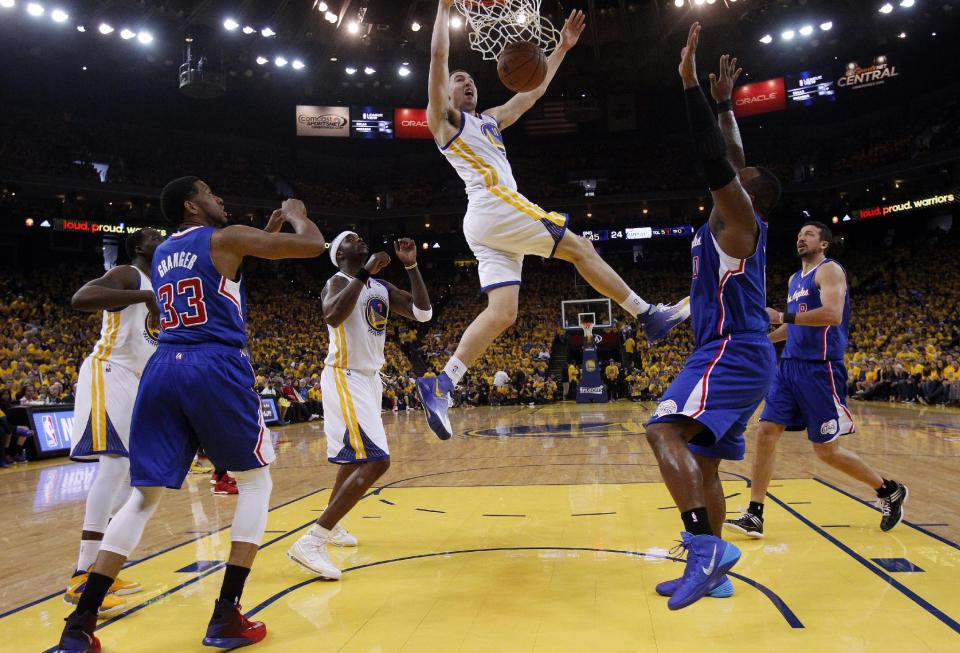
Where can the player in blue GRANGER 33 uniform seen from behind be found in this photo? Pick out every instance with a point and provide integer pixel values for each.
(197, 390)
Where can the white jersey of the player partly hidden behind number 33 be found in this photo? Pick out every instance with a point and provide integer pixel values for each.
(125, 338)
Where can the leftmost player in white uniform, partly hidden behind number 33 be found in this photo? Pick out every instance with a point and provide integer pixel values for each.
(106, 389)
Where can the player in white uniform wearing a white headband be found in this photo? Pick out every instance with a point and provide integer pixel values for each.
(355, 308)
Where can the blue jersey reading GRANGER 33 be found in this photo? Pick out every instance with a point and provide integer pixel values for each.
(197, 304)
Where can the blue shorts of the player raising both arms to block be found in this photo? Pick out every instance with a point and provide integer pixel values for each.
(720, 386)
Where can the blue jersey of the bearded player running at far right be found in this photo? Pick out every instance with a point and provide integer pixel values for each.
(814, 343)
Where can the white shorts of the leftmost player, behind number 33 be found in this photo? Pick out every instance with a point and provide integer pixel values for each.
(106, 393)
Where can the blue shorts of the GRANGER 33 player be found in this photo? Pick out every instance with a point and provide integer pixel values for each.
(195, 396)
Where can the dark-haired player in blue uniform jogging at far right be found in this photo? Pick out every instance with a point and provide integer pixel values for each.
(810, 388)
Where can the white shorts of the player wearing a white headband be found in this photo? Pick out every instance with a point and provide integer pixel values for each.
(351, 416)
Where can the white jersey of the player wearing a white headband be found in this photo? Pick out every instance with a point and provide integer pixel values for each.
(357, 344)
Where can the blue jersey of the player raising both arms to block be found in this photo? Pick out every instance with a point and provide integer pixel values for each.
(727, 295)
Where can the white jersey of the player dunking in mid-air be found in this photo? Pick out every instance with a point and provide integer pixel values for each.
(478, 155)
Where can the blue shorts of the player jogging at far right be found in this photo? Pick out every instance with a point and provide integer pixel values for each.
(810, 395)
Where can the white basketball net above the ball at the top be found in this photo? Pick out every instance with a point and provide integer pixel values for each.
(495, 23)
